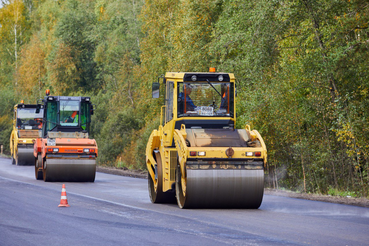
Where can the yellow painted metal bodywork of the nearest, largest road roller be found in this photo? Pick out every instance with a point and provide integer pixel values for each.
(162, 139)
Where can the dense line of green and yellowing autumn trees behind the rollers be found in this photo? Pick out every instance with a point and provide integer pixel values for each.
(301, 69)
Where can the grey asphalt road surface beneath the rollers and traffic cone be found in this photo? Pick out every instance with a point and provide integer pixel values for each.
(116, 210)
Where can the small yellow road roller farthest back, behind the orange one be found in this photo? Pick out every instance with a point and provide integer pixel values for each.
(27, 121)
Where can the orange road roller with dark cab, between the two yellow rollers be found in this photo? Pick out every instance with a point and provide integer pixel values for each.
(64, 151)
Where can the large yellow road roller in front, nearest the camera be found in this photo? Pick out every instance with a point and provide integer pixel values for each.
(196, 157)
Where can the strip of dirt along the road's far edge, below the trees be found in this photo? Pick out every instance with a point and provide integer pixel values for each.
(361, 202)
